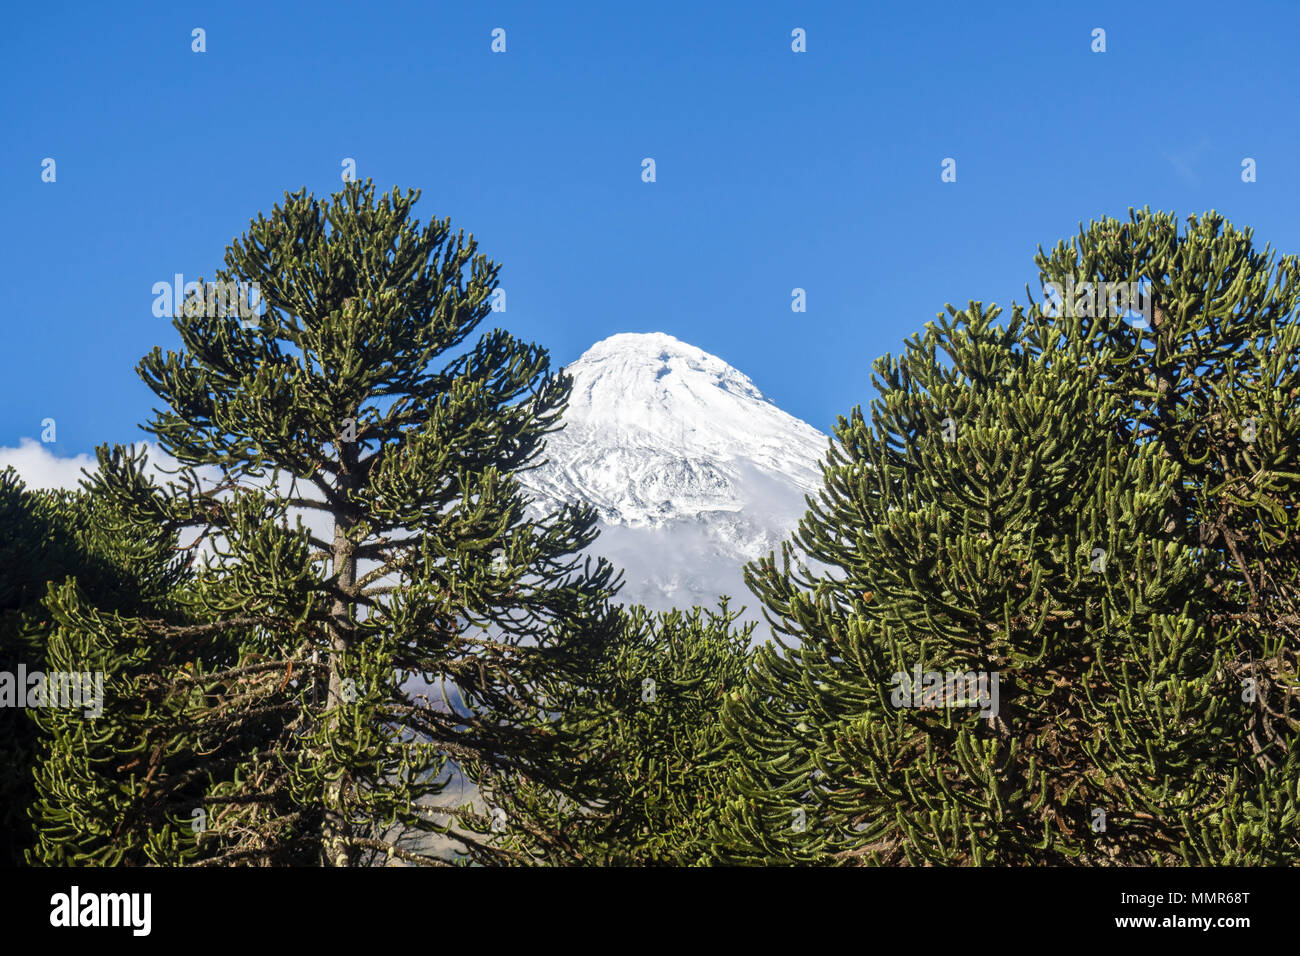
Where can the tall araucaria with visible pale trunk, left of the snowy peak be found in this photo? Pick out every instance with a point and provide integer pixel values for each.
(346, 462)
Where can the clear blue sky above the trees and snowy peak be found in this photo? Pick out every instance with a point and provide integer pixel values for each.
(775, 170)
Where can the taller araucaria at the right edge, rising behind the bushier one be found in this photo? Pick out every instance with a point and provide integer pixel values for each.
(1212, 371)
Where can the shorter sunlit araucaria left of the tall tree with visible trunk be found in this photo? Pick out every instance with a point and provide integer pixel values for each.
(116, 784)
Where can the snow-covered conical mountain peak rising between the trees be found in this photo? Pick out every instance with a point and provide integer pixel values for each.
(694, 473)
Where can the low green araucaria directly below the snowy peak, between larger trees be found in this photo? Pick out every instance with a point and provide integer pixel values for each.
(642, 732)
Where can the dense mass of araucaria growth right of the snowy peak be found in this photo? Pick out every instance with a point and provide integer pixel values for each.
(1095, 505)
